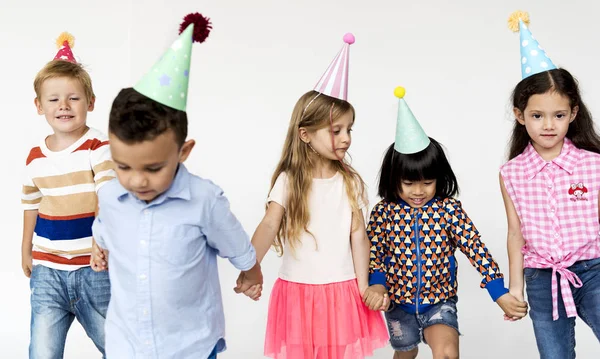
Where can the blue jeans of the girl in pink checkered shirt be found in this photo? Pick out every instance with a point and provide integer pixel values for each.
(556, 338)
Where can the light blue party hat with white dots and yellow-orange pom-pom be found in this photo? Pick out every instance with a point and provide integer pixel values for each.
(533, 57)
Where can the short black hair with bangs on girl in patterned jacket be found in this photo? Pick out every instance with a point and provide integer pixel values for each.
(431, 163)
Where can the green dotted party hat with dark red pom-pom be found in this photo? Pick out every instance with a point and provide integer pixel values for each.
(167, 81)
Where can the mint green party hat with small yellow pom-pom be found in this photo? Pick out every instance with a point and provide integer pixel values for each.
(410, 137)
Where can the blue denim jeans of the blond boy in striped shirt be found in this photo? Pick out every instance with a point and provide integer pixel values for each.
(58, 297)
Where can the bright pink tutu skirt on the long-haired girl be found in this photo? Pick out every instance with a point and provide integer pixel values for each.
(327, 321)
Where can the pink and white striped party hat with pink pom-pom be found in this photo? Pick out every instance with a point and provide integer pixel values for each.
(334, 81)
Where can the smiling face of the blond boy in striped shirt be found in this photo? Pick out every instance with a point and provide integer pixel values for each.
(62, 101)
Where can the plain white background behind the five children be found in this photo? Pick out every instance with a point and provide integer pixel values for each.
(458, 61)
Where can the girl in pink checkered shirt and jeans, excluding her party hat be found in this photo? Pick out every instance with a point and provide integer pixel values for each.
(550, 188)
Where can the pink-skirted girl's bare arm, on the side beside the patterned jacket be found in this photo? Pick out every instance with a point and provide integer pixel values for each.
(361, 249)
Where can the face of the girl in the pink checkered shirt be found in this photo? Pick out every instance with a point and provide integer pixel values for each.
(547, 118)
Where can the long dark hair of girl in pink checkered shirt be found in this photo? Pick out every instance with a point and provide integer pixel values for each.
(581, 131)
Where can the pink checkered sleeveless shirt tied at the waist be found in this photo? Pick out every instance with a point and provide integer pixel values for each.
(557, 203)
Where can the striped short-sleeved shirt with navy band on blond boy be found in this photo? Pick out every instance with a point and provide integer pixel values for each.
(62, 187)
